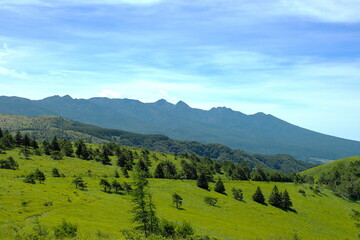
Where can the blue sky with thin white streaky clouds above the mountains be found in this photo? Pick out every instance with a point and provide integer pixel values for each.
(296, 59)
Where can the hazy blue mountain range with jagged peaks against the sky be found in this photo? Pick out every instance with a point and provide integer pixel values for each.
(260, 133)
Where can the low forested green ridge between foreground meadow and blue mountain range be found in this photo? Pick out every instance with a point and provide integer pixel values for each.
(46, 127)
